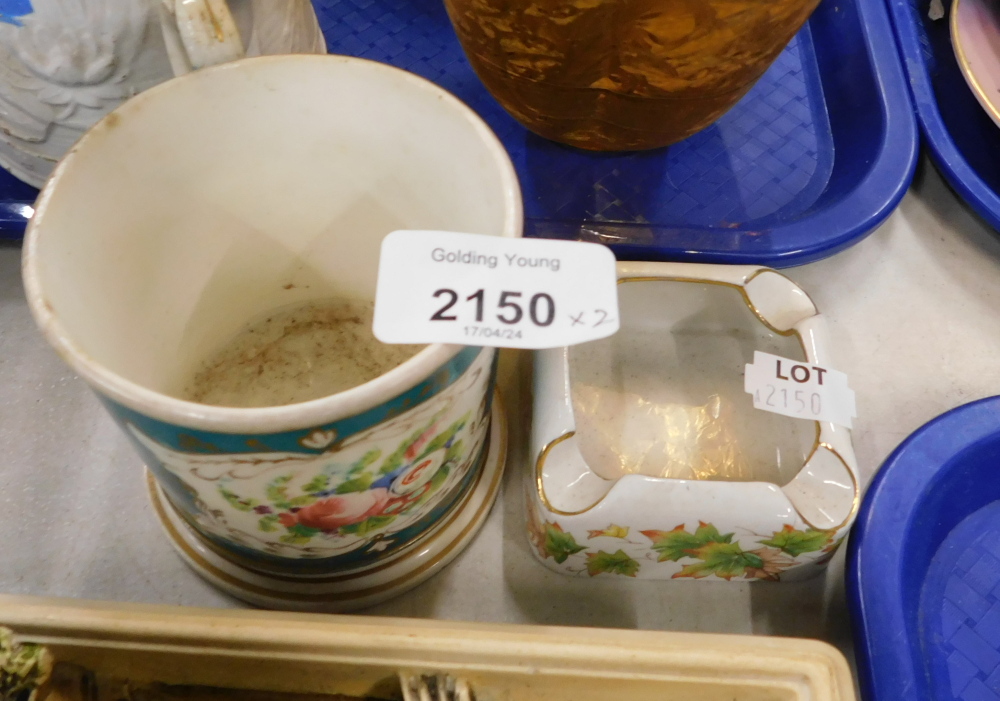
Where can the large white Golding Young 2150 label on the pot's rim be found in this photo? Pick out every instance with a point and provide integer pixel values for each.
(477, 290)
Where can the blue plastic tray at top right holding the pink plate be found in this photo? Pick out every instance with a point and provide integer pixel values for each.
(964, 141)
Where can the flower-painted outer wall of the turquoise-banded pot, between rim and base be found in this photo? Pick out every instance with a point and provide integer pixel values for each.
(338, 496)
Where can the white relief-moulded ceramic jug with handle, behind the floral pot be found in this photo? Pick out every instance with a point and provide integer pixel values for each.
(66, 63)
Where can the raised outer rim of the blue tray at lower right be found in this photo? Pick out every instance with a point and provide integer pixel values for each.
(878, 618)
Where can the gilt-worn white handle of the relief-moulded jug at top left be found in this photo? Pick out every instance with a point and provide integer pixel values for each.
(199, 33)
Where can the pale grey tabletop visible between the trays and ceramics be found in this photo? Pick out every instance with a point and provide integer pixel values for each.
(912, 313)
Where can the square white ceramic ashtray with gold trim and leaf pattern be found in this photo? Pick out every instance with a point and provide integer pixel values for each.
(650, 458)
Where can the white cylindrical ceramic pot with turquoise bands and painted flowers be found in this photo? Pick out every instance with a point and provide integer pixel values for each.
(249, 187)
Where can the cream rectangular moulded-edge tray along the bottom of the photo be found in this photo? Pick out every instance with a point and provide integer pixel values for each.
(111, 652)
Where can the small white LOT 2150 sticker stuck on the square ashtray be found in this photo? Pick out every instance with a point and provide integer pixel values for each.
(799, 389)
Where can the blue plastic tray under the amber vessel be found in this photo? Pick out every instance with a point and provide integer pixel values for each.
(811, 160)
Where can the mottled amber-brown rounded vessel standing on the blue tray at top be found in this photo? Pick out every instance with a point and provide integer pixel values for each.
(611, 75)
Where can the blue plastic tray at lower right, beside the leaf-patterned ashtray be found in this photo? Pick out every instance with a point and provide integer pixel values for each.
(924, 564)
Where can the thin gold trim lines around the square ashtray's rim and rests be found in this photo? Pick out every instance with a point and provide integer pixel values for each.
(544, 452)
